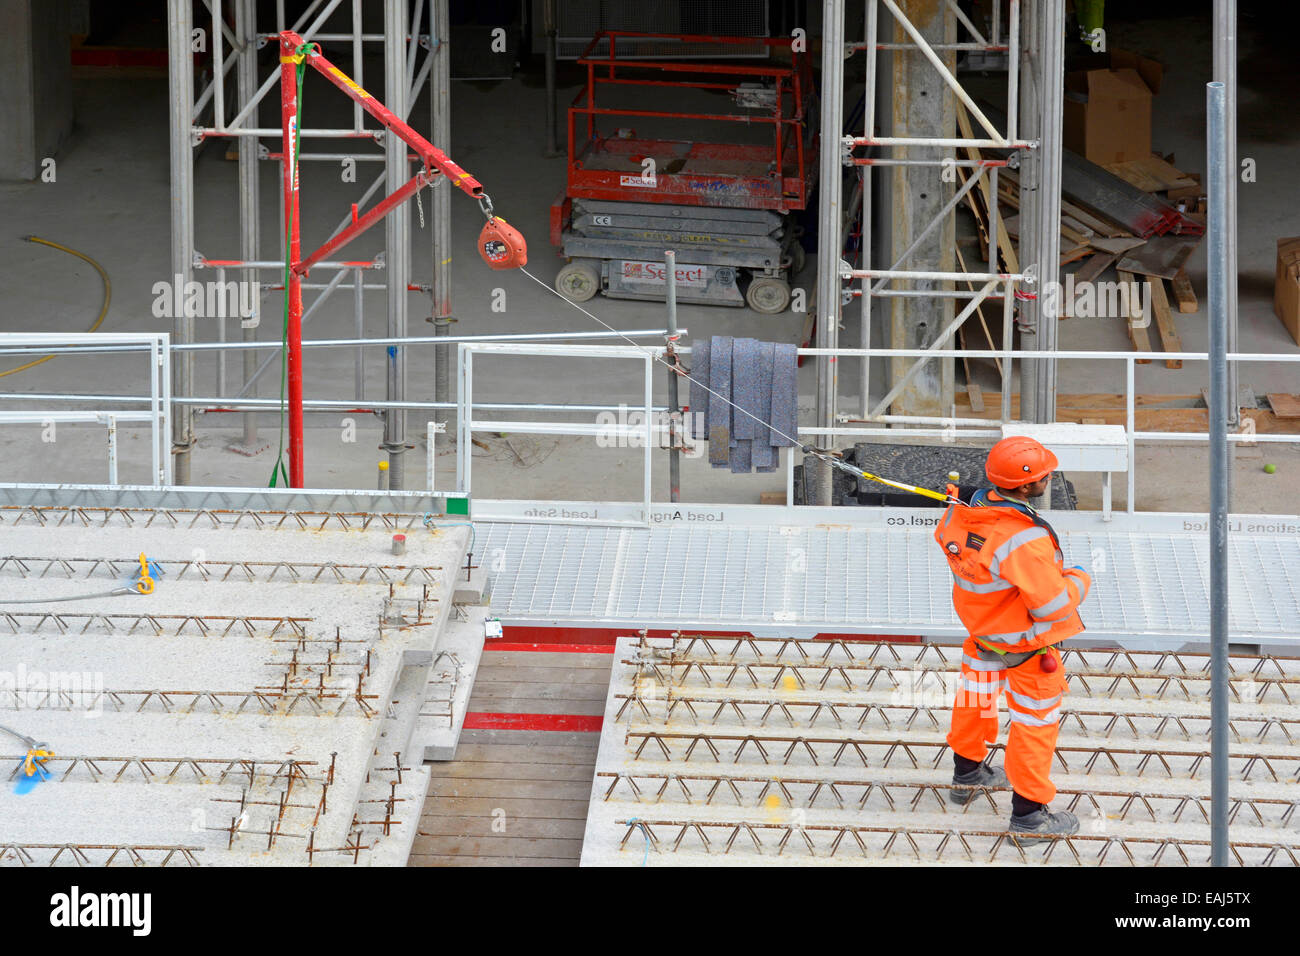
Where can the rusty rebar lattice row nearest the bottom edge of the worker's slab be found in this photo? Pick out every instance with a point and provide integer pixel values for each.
(931, 845)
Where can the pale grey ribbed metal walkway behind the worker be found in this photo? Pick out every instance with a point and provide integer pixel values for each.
(873, 579)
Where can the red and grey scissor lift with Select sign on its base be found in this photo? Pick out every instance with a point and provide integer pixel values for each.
(723, 207)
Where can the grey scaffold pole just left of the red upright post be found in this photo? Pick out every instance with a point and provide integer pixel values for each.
(250, 205)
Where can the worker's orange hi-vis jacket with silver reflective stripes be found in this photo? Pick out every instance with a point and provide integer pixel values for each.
(1011, 589)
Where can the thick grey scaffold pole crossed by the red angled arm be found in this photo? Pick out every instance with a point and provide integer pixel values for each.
(397, 236)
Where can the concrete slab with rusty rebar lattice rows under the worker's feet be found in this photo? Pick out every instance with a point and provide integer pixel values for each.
(837, 750)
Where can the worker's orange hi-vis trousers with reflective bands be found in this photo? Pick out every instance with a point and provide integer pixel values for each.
(1034, 703)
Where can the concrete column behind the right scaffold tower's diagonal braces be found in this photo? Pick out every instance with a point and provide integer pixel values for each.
(922, 106)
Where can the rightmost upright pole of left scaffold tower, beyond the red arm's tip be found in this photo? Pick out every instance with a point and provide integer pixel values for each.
(440, 127)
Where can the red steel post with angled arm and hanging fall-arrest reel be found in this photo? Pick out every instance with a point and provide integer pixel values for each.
(501, 245)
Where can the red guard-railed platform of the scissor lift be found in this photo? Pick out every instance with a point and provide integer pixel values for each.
(605, 163)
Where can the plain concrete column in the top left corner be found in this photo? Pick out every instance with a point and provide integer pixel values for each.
(36, 75)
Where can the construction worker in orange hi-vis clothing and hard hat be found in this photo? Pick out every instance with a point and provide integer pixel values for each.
(1017, 602)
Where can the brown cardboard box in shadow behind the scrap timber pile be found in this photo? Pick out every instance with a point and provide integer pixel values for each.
(1108, 103)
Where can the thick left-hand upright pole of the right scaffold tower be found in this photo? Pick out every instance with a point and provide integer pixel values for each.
(830, 243)
